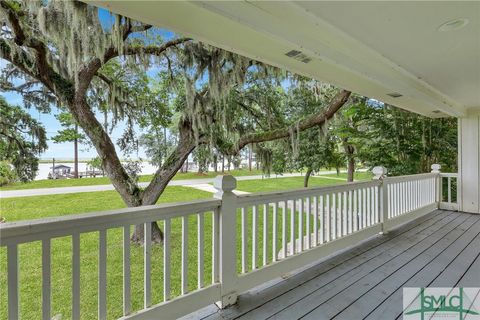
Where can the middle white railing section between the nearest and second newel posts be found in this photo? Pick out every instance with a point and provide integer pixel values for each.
(301, 226)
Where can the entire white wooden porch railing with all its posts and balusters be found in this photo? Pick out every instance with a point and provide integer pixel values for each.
(250, 238)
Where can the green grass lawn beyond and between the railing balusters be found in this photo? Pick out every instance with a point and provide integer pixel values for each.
(14, 209)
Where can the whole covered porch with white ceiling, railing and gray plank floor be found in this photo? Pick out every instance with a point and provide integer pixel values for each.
(342, 251)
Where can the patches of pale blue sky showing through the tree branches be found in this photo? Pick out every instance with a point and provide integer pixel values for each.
(51, 124)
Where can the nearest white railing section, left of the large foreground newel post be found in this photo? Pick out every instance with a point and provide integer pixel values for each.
(14, 234)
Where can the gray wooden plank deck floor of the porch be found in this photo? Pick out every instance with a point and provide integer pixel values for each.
(441, 249)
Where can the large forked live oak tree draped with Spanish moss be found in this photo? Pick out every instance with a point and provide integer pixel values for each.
(62, 50)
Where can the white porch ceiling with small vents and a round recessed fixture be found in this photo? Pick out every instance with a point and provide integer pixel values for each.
(373, 48)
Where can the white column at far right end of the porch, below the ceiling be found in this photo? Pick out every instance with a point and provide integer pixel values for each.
(469, 164)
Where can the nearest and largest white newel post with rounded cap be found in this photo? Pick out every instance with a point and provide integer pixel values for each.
(228, 248)
